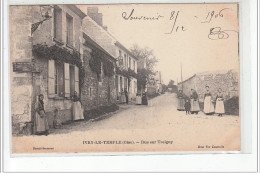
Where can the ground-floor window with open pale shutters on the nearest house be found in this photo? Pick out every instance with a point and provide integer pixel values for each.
(63, 79)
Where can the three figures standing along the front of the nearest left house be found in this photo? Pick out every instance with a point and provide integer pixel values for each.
(41, 126)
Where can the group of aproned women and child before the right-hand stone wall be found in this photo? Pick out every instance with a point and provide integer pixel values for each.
(191, 104)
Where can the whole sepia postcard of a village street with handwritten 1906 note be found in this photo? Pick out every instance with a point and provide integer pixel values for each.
(124, 78)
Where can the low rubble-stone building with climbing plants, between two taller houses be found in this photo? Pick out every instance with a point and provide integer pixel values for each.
(98, 89)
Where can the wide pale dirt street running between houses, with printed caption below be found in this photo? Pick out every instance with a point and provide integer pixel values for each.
(142, 128)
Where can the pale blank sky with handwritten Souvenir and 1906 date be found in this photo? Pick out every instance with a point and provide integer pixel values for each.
(180, 36)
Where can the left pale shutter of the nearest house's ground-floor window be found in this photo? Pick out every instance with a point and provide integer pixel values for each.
(51, 78)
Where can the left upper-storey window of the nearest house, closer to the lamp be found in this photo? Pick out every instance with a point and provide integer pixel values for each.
(57, 17)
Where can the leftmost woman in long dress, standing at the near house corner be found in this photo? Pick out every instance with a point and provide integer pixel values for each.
(40, 120)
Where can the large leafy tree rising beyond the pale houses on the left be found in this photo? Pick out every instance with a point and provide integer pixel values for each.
(144, 74)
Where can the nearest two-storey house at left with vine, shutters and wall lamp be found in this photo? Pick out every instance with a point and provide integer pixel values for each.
(52, 53)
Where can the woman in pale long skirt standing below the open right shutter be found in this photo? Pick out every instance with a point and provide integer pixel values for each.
(77, 111)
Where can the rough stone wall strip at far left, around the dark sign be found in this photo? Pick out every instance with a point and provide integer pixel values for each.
(20, 51)
